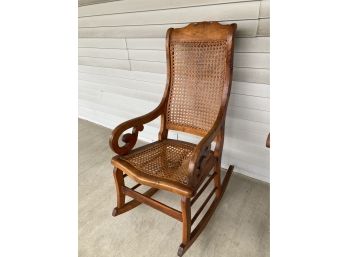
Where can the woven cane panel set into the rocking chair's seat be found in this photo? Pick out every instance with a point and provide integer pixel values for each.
(167, 159)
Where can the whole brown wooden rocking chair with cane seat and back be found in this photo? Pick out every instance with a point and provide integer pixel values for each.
(199, 63)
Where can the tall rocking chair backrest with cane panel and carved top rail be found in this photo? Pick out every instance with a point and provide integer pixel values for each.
(199, 63)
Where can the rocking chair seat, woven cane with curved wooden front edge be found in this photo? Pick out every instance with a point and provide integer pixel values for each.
(160, 163)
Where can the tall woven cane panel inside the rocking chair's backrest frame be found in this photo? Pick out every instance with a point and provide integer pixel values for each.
(198, 76)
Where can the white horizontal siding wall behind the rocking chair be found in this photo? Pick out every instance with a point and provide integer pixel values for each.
(122, 68)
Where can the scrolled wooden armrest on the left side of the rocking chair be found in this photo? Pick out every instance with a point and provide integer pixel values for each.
(130, 139)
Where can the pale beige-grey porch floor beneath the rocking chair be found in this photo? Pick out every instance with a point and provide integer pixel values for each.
(239, 227)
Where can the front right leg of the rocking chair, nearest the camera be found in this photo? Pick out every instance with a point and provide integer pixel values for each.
(186, 224)
